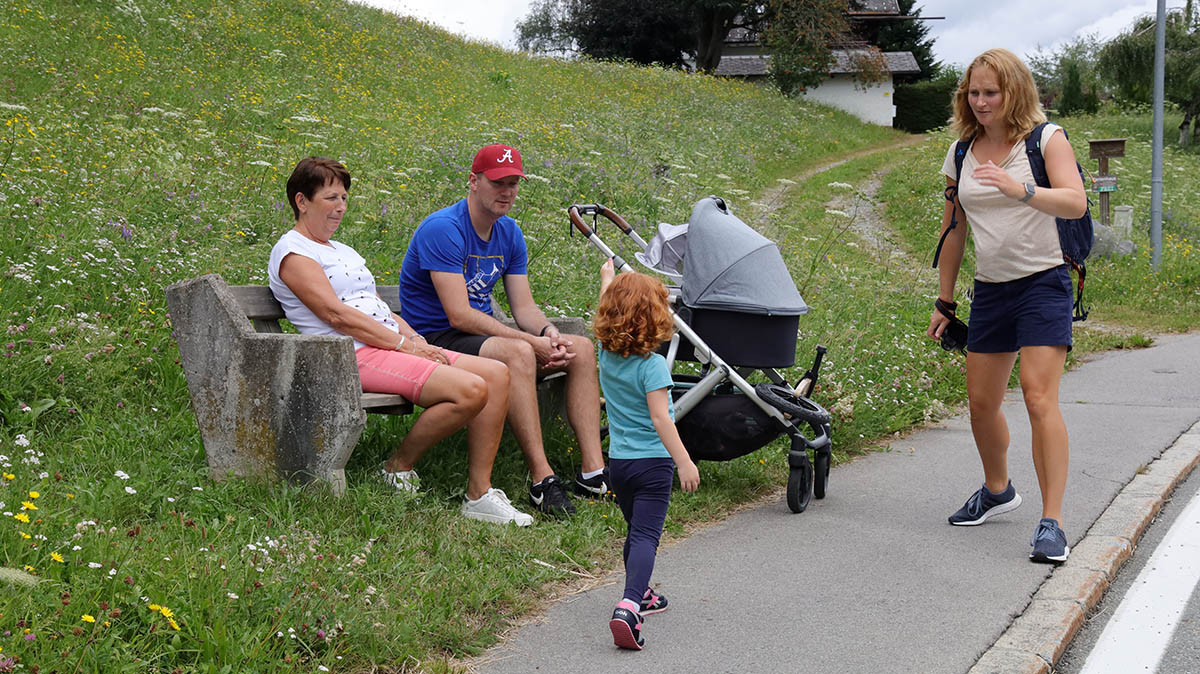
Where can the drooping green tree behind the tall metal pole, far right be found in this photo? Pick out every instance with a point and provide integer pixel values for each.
(1129, 62)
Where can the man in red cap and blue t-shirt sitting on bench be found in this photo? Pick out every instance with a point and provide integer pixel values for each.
(455, 258)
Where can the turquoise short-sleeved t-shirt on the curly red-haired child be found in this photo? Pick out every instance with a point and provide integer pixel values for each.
(626, 382)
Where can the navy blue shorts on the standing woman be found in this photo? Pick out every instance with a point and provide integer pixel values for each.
(1029, 312)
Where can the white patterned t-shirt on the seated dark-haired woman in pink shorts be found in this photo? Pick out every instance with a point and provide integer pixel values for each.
(347, 273)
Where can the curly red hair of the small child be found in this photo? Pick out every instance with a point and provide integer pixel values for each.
(633, 317)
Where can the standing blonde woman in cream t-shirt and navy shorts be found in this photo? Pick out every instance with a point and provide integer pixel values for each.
(1023, 292)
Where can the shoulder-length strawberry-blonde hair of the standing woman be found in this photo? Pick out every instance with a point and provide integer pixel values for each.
(1023, 110)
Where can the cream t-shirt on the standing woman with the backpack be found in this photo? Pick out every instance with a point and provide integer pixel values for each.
(1012, 239)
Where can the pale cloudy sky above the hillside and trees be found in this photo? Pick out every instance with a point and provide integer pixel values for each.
(970, 26)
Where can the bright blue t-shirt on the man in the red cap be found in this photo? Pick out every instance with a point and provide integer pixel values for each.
(447, 242)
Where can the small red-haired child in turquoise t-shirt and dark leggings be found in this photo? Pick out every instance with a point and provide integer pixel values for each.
(632, 321)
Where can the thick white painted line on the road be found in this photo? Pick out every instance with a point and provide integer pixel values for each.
(1139, 633)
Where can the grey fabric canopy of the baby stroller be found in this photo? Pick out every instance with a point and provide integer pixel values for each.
(730, 267)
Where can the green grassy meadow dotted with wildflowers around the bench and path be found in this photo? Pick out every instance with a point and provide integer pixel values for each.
(149, 141)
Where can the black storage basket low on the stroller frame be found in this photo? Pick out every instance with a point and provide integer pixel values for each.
(725, 425)
